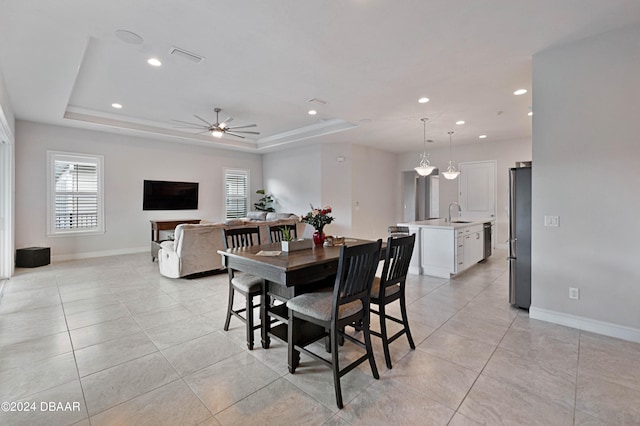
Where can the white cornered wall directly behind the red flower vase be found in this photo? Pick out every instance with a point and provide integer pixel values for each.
(361, 189)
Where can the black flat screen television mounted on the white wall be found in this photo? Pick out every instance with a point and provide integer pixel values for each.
(163, 195)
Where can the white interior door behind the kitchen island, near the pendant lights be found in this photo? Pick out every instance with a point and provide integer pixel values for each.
(477, 189)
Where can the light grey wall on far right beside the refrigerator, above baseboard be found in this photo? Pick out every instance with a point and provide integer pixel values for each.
(586, 170)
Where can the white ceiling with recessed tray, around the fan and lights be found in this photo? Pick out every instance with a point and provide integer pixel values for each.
(370, 60)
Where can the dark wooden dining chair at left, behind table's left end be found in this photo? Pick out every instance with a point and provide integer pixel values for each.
(246, 284)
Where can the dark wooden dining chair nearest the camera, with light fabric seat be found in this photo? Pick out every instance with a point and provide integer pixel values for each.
(346, 304)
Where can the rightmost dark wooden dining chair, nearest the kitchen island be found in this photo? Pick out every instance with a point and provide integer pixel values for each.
(391, 287)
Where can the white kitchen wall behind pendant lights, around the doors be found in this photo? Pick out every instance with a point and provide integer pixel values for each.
(505, 153)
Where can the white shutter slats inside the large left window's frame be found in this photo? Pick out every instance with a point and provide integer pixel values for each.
(76, 195)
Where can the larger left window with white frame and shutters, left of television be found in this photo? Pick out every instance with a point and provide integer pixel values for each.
(75, 194)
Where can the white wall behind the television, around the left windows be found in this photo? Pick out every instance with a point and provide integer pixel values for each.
(127, 162)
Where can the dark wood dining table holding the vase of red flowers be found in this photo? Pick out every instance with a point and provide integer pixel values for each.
(286, 275)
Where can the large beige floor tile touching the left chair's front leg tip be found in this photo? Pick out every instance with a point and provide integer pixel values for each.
(223, 384)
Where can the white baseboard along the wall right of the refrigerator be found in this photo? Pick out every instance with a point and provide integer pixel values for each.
(587, 324)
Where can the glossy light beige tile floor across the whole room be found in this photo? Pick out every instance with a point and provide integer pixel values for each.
(128, 346)
